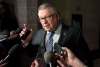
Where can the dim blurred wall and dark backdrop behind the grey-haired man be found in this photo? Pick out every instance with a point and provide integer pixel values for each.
(86, 12)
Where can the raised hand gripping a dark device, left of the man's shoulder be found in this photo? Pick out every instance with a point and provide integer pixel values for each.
(26, 35)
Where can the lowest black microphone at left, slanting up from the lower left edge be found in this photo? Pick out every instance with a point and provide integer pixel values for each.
(10, 53)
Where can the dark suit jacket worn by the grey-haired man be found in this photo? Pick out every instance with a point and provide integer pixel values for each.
(71, 37)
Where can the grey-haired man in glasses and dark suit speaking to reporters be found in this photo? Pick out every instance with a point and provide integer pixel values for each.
(65, 36)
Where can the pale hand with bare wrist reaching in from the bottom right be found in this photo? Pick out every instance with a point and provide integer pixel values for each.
(69, 59)
